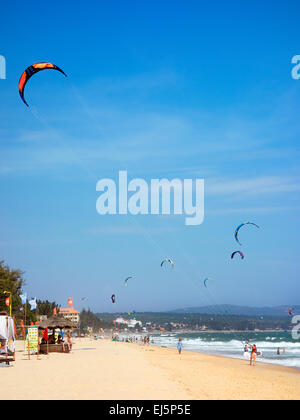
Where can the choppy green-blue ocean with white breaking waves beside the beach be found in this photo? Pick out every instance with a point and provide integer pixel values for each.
(231, 344)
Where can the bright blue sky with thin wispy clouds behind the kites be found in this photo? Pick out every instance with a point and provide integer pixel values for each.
(160, 89)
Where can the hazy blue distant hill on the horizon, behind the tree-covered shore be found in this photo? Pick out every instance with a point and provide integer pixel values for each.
(239, 310)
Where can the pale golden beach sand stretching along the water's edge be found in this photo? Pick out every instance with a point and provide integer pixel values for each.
(107, 370)
